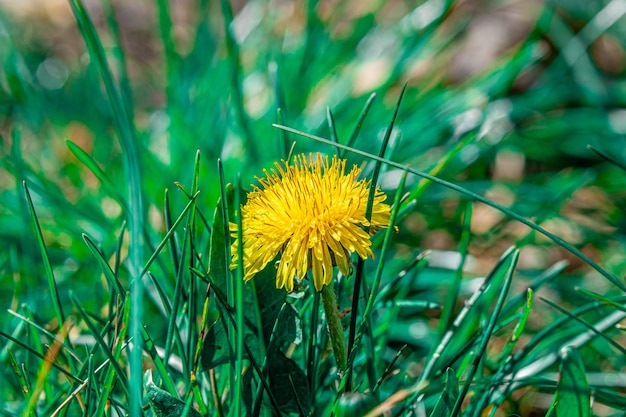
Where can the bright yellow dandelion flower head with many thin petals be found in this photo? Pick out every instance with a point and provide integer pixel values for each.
(311, 212)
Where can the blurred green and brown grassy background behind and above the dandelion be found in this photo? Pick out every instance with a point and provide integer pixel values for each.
(503, 98)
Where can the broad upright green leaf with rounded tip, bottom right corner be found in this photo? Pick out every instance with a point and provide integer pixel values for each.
(572, 391)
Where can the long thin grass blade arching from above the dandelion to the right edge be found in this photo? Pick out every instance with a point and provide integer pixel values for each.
(556, 239)
